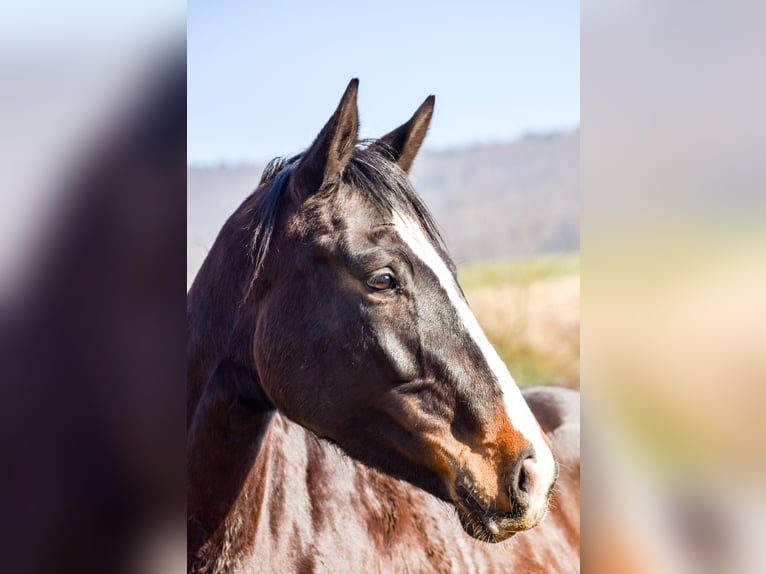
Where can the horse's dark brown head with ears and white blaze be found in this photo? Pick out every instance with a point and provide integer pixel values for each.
(363, 335)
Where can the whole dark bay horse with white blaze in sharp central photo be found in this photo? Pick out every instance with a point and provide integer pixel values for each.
(346, 413)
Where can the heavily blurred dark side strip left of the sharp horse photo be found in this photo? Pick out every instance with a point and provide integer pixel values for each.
(92, 313)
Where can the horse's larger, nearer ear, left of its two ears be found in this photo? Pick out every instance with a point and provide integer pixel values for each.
(323, 163)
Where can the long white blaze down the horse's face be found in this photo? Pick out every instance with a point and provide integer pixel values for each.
(515, 406)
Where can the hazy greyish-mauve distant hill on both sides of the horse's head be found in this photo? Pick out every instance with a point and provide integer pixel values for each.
(493, 202)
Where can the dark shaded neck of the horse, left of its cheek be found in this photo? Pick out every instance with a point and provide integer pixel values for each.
(227, 411)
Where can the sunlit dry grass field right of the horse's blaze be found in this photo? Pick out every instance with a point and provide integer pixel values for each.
(530, 311)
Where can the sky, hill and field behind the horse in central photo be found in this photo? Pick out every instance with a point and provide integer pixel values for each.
(499, 168)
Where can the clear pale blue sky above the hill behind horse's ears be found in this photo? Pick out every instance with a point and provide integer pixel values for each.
(263, 77)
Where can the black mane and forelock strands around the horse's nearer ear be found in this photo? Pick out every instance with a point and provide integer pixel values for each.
(370, 171)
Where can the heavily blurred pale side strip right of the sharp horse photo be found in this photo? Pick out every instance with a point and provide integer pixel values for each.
(674, 275)
